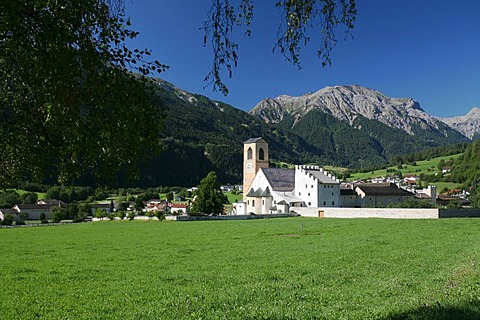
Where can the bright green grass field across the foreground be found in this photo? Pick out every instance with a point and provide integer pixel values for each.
(257, 269)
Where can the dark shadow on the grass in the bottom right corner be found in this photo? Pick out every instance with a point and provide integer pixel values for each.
(439, 312)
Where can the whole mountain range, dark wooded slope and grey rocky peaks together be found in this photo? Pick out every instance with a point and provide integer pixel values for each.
(350, 126)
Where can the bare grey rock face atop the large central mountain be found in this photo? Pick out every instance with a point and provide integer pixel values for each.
(346, 103)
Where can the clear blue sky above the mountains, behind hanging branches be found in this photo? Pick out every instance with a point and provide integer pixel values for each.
(428, 50)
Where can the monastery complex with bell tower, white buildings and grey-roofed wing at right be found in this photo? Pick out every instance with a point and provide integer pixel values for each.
(278, 190)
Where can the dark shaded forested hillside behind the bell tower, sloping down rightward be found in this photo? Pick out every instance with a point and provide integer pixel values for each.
(201, 135)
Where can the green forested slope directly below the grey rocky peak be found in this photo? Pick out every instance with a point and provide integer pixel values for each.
(365, 144)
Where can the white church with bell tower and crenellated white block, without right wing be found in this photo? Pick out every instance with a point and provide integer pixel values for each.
(276, 190)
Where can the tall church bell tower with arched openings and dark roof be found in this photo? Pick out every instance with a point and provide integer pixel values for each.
(255, 156)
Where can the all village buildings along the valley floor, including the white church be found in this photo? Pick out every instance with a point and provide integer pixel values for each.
(269, 190)
